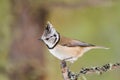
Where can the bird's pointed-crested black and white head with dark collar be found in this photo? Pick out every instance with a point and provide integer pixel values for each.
(50, 36)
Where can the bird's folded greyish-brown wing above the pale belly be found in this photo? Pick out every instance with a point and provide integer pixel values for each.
(72, 43)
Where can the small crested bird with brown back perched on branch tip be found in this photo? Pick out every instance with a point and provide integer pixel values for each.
(65, 48)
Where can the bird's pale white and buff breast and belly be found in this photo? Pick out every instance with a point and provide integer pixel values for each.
(63, 52)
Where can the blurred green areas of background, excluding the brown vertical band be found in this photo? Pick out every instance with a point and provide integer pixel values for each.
(99, 24)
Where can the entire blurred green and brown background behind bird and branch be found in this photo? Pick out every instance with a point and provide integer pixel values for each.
(23, 57)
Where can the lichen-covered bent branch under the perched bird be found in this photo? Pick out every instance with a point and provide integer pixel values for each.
(69, 75)
